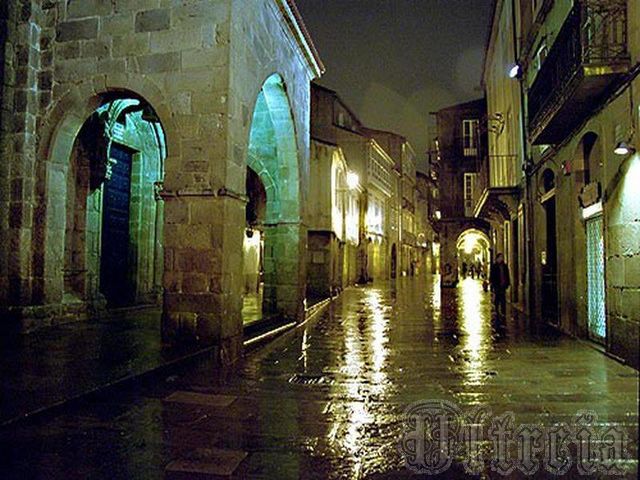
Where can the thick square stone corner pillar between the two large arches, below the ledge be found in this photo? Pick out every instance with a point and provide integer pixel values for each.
(203, 271)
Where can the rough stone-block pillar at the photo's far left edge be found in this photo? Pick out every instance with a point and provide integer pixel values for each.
(20, 36)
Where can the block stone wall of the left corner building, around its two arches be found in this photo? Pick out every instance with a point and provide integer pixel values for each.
(200, 65)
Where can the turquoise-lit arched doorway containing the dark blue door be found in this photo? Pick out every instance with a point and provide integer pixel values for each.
(113, 215)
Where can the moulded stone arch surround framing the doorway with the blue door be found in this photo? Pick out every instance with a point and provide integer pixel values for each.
(60, 131)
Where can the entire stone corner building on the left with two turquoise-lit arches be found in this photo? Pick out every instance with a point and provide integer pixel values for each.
(127, 133)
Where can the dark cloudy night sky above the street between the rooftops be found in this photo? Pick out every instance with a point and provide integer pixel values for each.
(394, 61)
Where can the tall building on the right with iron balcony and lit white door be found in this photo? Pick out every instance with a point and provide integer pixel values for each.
(575, 81)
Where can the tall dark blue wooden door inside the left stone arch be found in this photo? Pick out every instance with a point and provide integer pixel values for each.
(114, 262)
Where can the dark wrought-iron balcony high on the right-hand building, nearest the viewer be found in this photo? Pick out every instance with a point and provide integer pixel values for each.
(588, 53)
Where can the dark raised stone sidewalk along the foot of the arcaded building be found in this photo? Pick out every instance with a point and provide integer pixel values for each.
(49, 367)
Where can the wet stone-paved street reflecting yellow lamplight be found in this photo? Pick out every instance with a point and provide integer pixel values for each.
(326, 400)
